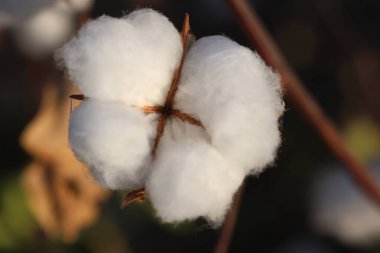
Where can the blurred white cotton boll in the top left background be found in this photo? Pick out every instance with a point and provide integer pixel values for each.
(41, 26)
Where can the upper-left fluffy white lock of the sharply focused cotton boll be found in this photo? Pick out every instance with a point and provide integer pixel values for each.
(130, 60)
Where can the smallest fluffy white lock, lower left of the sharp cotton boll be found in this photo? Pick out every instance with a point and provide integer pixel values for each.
(114, 140)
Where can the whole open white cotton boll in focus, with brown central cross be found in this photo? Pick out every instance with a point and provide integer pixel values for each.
(184, 123)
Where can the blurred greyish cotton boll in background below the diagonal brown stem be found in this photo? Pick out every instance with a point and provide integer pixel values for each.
(341, 210)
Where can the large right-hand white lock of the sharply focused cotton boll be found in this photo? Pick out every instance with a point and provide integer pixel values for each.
(236, 97)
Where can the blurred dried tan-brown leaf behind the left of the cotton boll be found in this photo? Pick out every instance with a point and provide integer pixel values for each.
(61, 193)
